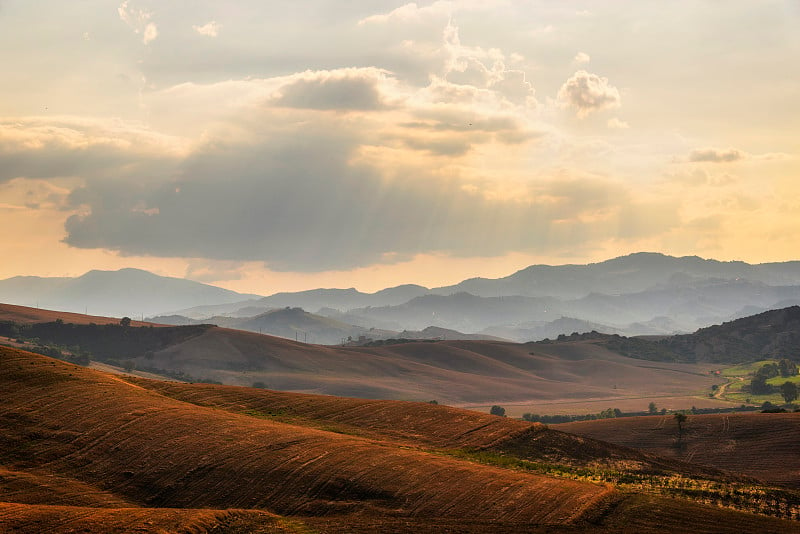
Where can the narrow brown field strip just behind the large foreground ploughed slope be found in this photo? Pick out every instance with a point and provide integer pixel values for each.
(420, 425)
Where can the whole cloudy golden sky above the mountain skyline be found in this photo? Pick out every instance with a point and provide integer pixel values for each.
(285, 145)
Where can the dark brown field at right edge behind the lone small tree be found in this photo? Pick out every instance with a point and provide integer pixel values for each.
(765, 446)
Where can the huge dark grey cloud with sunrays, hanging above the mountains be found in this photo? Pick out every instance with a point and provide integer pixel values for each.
(301, 200)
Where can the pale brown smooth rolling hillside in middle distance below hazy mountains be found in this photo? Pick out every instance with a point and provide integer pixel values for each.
(455, 372)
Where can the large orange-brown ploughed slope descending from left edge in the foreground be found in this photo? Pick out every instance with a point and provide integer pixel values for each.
(158, 451)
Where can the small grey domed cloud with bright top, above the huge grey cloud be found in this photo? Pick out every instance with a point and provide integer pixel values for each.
(344, 89)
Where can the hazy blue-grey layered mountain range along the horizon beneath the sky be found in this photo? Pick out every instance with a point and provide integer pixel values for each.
(642, 293)
